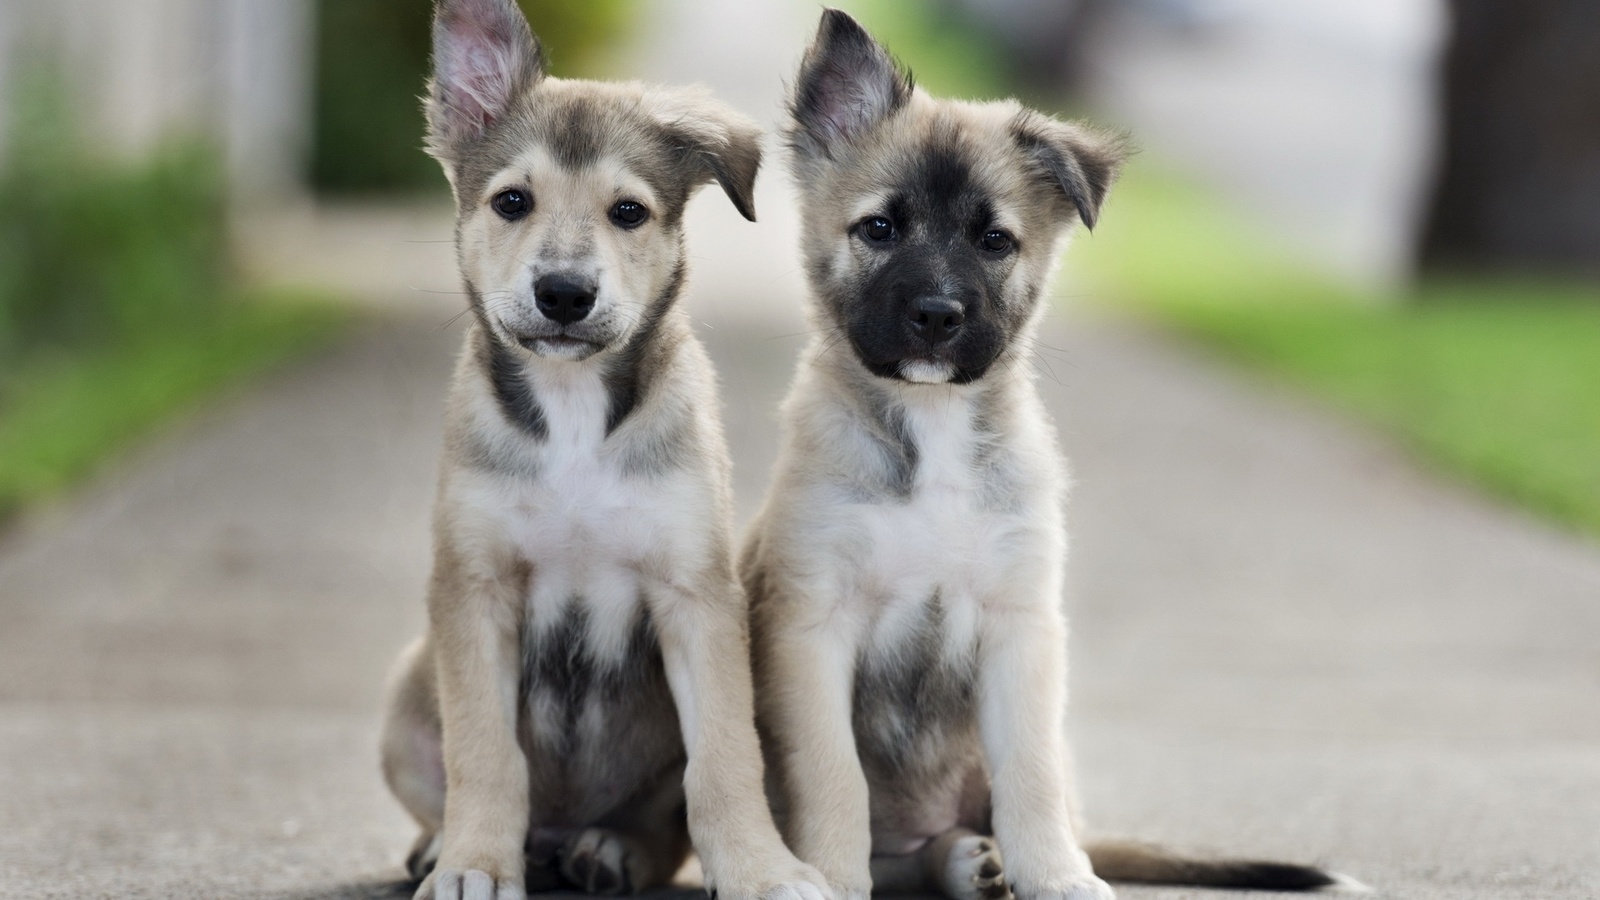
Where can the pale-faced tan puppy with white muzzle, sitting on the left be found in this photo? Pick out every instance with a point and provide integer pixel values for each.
(582, 704)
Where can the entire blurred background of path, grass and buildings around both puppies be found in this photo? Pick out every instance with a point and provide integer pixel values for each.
(1329, 371)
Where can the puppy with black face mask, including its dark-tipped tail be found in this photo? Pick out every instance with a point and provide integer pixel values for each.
(906, 569)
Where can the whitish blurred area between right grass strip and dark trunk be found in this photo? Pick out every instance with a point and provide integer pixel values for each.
(1322, 116)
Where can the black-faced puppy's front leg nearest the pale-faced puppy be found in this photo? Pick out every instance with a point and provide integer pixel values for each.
(807, 678)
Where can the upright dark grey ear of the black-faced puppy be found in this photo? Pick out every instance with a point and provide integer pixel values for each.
(847, 86)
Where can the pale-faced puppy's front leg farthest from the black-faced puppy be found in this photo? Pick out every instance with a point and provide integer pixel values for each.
(474, 627)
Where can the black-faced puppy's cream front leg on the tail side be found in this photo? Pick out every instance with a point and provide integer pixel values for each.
(1023, 681)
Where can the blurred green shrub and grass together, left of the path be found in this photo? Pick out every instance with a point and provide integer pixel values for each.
(118, 305)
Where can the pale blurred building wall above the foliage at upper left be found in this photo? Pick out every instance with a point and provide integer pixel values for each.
(239, 71)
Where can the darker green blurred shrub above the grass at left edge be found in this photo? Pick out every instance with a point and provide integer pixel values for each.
(94, 252)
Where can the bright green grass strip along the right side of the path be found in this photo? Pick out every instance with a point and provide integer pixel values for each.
(1497, 380)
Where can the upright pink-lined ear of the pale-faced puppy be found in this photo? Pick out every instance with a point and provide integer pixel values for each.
(484, 58)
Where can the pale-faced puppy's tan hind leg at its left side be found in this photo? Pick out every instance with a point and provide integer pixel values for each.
(414, 761)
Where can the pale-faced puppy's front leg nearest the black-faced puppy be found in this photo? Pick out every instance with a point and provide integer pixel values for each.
(706, 651)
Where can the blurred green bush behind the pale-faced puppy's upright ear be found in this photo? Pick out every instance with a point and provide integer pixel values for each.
(372, 66)
